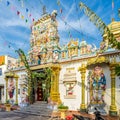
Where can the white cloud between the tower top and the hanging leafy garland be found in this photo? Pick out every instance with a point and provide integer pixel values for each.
(82, 25)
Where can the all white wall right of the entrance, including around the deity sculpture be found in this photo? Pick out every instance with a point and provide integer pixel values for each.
(75, 103)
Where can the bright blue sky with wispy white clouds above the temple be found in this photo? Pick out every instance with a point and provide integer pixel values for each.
(15, 31)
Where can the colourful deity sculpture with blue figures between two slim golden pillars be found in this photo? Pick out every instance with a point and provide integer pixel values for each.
(97, 85)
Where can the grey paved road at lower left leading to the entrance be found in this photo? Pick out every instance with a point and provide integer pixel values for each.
(37, 111)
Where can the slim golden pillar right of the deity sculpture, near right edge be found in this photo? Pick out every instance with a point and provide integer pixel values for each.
(113, 108)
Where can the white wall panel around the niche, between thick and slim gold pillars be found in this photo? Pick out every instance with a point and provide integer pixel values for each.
(73, 103)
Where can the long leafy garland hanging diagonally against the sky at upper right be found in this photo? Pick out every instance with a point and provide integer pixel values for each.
(100, 25)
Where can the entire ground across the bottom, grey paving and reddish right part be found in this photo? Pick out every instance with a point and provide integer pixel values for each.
(43, 111)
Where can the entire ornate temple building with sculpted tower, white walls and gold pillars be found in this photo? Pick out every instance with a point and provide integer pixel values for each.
(81, 77)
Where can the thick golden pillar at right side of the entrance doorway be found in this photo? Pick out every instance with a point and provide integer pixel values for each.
(55, 95)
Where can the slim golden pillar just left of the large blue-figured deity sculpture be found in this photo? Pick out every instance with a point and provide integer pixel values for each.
(82, 70)
